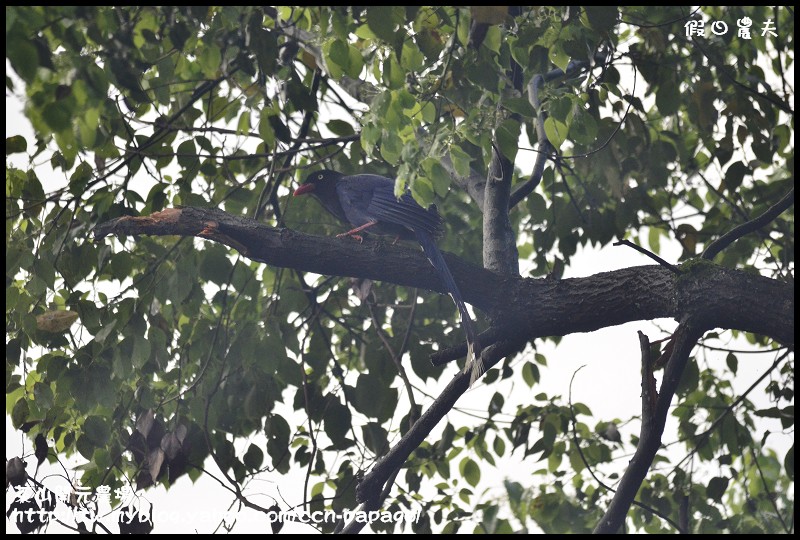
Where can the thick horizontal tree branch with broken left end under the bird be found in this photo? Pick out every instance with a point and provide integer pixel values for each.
(521, 308)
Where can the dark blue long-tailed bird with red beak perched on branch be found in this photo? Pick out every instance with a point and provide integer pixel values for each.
(367, 202)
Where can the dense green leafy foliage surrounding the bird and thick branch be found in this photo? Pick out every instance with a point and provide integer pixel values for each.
(152, 356)
